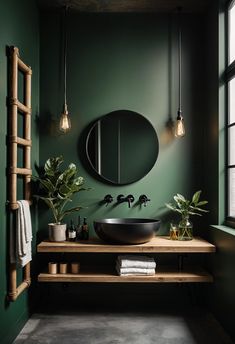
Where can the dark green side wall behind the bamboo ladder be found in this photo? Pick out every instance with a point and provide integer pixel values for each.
(19, 27)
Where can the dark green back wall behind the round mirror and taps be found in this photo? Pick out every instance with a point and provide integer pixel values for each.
(124, 62)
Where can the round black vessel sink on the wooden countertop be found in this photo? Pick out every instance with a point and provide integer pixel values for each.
(126, 231)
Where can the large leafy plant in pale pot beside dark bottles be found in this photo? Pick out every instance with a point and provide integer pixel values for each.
(58, 187)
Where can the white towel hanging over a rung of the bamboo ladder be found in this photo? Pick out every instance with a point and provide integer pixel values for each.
(21, 250)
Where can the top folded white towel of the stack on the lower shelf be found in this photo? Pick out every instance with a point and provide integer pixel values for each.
(135, 261)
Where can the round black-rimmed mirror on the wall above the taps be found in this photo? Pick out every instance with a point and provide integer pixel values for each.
(122, 147)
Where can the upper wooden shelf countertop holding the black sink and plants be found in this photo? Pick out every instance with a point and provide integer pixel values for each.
(160, 244)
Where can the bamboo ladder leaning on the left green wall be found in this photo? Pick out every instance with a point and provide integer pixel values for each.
(15, 106)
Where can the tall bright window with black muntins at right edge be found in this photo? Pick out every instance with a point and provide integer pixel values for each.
(230, 123)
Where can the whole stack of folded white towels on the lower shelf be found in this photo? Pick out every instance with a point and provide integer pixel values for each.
(127, 265)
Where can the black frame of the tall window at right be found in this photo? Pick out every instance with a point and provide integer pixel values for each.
(229, 75)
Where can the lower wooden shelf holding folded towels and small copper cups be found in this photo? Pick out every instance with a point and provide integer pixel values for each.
(106, 275)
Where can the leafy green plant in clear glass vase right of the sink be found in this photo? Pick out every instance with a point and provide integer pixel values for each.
(186, 208)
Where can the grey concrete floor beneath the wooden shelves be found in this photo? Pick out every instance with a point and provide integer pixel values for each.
(129, 328)
